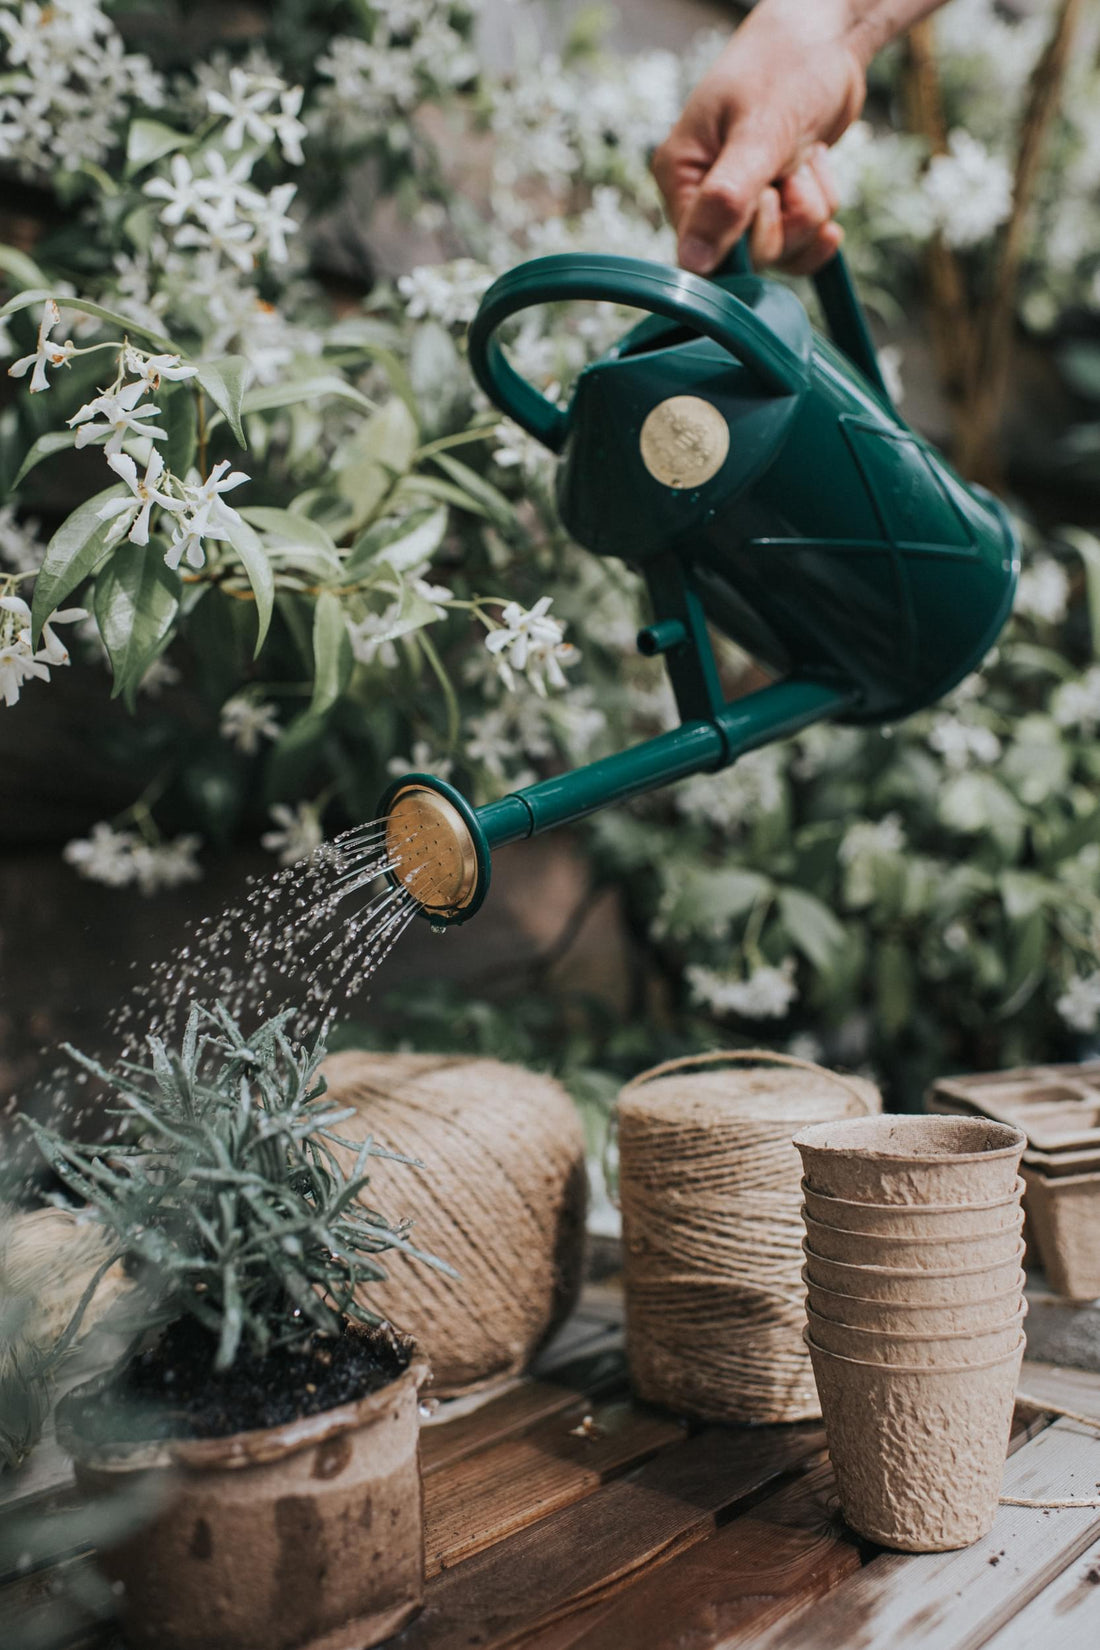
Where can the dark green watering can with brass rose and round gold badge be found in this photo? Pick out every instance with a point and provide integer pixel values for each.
(759, 479)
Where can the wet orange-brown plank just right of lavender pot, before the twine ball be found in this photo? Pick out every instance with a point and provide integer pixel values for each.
(489, 1496)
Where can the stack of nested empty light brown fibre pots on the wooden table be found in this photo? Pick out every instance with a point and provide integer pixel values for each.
(916, 1314)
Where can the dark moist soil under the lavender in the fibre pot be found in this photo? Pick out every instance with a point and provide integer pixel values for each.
(172, 1390)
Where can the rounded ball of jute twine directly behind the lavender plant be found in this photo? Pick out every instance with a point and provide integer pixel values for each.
(501, 1197)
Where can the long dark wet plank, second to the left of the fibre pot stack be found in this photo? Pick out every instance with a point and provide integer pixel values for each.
(586, 1552)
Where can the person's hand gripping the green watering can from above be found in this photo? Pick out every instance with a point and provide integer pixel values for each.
(750, 149)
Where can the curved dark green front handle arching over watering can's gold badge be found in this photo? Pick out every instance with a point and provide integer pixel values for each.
(664, 291)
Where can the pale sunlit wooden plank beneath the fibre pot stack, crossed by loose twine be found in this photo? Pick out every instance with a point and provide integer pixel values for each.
(957, 1601)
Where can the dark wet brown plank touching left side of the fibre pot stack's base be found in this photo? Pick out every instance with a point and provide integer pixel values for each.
(726, 1590)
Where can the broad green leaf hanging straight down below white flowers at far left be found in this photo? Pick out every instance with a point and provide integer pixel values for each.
(136, 606)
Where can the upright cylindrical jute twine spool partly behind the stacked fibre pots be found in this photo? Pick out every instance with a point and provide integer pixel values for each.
(710, 1190)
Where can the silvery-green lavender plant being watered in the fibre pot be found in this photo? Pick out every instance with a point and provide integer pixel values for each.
(223, 1190)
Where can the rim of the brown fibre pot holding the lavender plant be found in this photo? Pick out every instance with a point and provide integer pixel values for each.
(255, 1448)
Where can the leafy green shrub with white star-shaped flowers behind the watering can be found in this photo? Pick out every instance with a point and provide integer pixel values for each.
(301, 502)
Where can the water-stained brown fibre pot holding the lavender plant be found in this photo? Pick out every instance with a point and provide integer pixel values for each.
(299, 1537)
